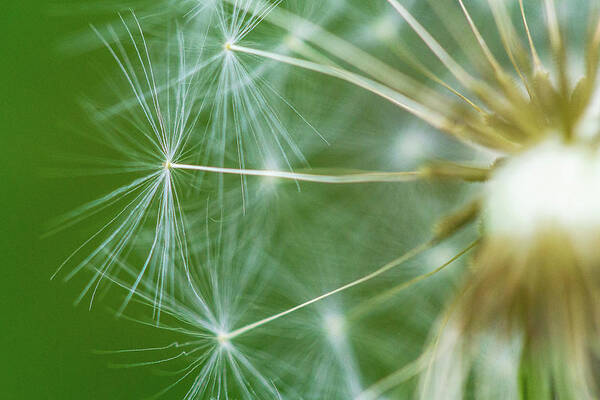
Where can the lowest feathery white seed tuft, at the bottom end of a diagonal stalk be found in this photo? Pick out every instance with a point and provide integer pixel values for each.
(197, 317)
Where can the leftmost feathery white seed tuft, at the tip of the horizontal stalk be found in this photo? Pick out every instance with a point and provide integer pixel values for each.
(164, 121)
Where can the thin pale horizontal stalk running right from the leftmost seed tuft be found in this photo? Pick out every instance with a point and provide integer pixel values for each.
(362, 177)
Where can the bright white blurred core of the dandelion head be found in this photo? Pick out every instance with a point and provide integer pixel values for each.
(552, 184)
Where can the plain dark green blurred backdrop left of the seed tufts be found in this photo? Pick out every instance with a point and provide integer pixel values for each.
(47, 341)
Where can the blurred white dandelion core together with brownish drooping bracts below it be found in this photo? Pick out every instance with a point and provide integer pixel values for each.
(531, 299)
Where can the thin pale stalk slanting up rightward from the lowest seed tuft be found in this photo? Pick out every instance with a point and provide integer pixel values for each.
(392, 264)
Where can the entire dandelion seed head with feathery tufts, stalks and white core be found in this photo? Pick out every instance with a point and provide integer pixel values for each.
(279, 278)
